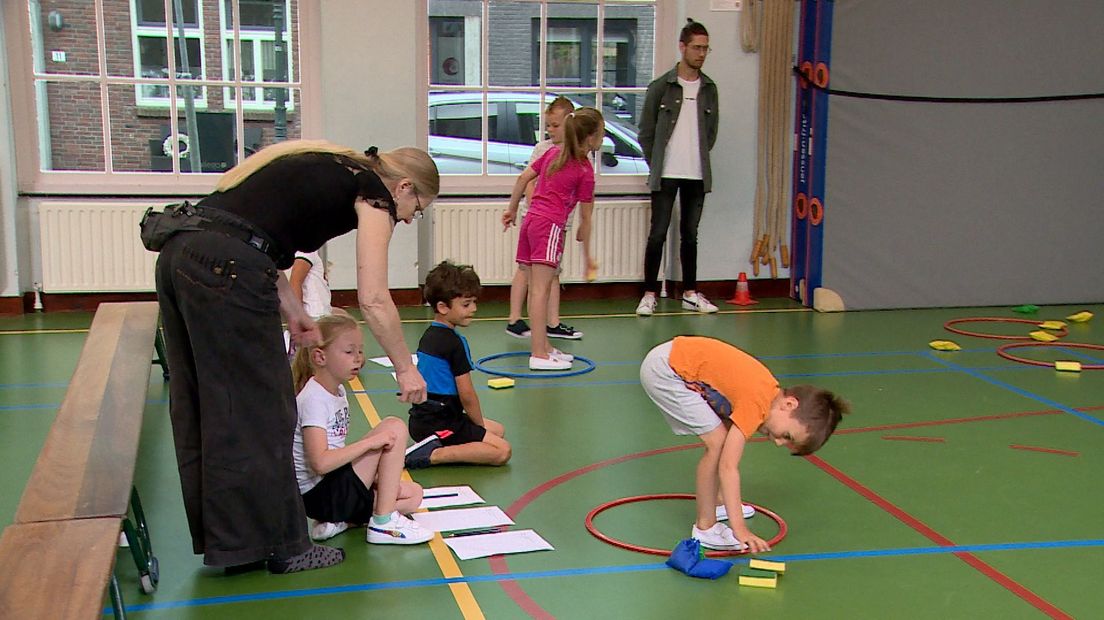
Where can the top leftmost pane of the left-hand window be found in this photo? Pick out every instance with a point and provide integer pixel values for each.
(70, 49)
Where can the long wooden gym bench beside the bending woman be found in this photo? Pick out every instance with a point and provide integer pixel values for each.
(82, 485)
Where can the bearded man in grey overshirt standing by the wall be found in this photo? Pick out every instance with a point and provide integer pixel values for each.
(678, 129)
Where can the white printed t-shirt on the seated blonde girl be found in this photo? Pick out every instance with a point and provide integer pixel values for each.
(330, 412)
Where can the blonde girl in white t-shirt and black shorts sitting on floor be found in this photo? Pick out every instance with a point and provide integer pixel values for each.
(358, 483)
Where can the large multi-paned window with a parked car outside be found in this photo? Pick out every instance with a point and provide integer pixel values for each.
(496, 65)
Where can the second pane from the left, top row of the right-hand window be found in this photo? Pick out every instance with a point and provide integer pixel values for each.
(513, 44)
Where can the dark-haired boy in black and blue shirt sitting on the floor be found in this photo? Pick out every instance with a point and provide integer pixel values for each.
(452, 419)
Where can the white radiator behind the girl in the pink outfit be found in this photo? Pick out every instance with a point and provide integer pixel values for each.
(472, 234)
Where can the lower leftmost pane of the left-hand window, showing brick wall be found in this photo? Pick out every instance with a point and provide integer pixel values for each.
(75, 127)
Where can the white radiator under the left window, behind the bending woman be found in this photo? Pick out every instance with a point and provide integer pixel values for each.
(93, 248)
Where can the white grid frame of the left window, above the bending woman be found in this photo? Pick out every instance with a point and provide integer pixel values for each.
(25, 82)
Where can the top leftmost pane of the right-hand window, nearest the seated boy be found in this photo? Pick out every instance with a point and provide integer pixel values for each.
(455, 31)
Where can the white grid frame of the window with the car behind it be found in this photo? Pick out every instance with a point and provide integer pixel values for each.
(502, 185)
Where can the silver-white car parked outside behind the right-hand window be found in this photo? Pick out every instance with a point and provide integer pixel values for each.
(514, 129)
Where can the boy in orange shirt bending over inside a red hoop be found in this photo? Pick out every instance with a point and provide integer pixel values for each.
(713, 390)
